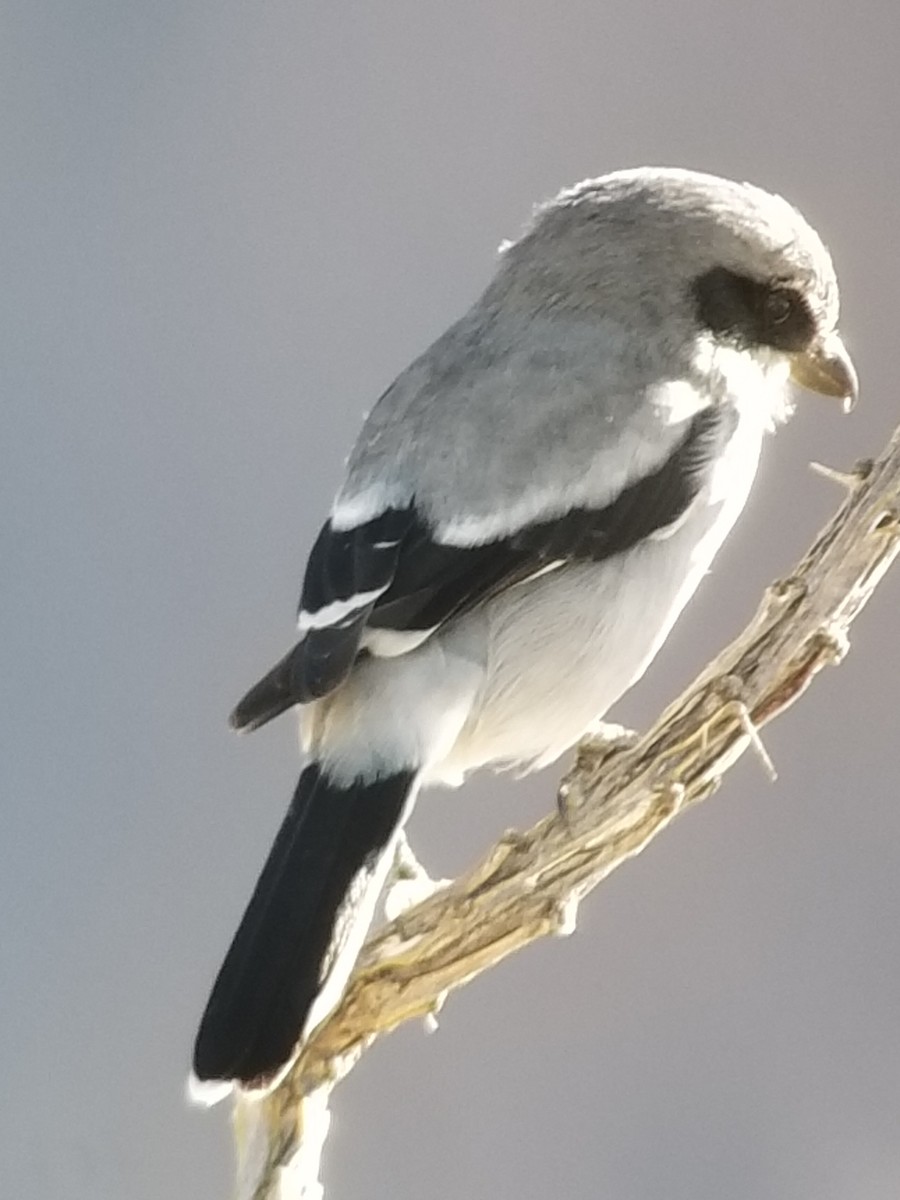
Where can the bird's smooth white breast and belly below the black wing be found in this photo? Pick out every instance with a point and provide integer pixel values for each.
(561, 650)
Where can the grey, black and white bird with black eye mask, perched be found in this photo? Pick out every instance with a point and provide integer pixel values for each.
(525, 514)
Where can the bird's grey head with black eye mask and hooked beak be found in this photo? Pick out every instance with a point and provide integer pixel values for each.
(671, 259)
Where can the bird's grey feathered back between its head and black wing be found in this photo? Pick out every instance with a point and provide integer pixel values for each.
(519, 415)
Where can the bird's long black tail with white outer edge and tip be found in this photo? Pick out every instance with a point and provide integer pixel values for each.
(303, 928)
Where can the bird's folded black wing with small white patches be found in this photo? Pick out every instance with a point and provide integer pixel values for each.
(394, 574)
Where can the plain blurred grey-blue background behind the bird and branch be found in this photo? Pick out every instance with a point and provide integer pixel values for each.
(226, 227)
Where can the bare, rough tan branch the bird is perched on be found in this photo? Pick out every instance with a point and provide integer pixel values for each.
(613, 803)
